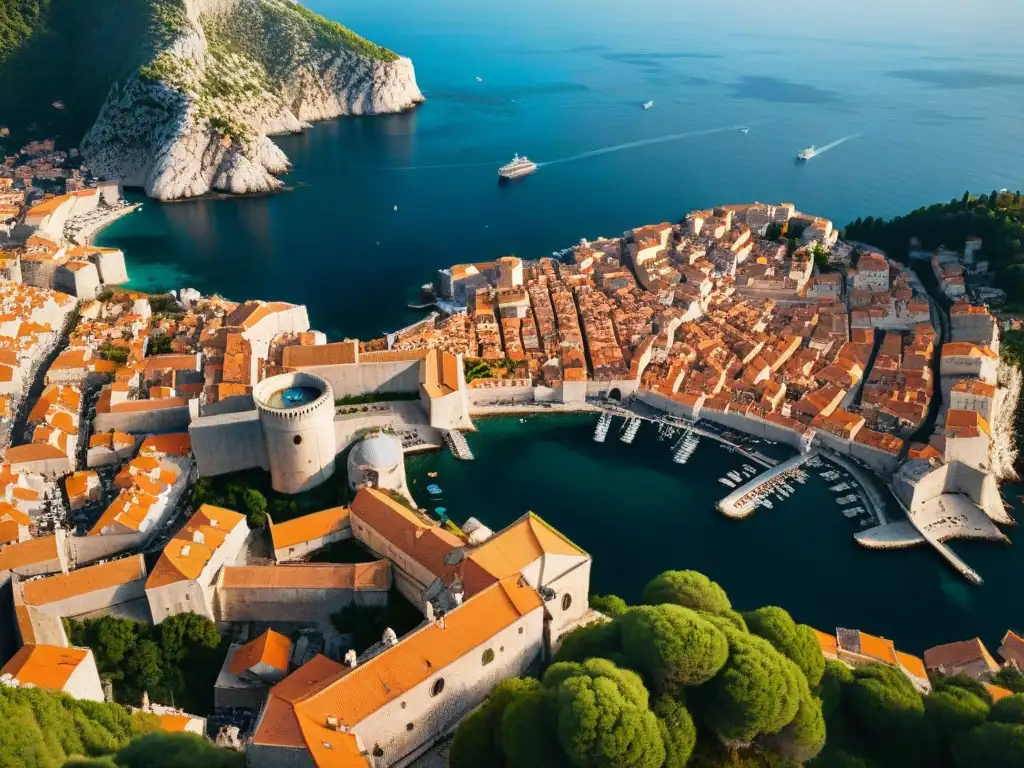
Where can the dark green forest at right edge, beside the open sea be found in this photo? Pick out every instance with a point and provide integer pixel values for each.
(994, 218)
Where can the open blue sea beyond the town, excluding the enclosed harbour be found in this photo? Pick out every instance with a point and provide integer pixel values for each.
(934, 100)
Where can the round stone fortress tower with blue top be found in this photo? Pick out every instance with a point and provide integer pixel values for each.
(296, 412)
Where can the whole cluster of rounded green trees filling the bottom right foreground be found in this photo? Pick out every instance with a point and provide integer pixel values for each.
(686, 680)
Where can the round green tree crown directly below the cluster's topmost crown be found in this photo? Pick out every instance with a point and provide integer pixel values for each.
(672, 647)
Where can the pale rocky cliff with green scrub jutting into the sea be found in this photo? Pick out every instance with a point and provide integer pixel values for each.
(223, 77)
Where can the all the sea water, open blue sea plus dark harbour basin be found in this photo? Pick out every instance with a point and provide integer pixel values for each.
(924, 105)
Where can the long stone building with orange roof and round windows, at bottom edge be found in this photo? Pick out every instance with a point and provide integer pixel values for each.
(390, 710)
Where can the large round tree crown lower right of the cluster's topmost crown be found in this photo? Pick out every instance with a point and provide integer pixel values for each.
(758, 691)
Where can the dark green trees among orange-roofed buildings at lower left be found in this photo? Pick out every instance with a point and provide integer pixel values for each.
(177, 662)
